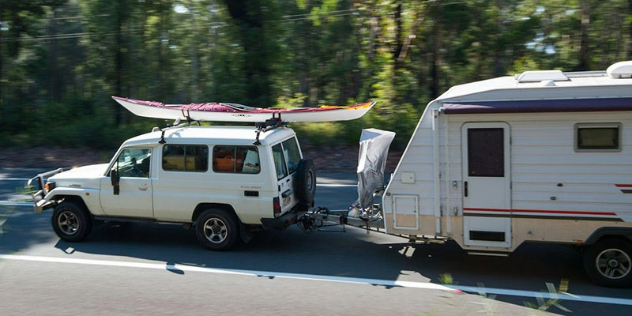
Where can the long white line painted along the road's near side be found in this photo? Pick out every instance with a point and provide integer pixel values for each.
(312, 277)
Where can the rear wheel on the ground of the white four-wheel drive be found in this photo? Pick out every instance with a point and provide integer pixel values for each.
(217, 229)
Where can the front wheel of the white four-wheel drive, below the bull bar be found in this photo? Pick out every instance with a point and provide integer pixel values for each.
(71, 221)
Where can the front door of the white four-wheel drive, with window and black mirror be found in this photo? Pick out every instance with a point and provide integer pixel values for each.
(134, 197)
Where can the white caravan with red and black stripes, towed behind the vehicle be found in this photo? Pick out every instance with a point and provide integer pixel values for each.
(544, 156)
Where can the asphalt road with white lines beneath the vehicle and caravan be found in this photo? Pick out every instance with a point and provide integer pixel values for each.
(132, 269)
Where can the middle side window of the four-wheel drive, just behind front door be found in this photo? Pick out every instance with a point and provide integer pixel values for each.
(192, 158)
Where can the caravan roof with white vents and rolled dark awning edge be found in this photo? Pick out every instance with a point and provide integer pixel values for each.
(545, 91)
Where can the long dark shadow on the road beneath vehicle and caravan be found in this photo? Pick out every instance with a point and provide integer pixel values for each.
(352, 254)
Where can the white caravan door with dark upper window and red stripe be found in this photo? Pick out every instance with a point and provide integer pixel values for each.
(486, 184)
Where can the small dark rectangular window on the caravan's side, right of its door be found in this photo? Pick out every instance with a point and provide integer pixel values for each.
(590, 137)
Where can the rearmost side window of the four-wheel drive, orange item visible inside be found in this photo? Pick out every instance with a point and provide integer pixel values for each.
(236, 159)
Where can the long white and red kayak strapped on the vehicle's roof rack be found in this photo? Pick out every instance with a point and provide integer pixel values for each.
(231, 112)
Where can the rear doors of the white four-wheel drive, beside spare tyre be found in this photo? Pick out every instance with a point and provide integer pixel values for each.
(286, 156)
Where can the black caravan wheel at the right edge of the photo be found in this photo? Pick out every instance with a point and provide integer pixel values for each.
(609, 262)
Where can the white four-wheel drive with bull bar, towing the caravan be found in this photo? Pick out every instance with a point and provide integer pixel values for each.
(224, 181)
